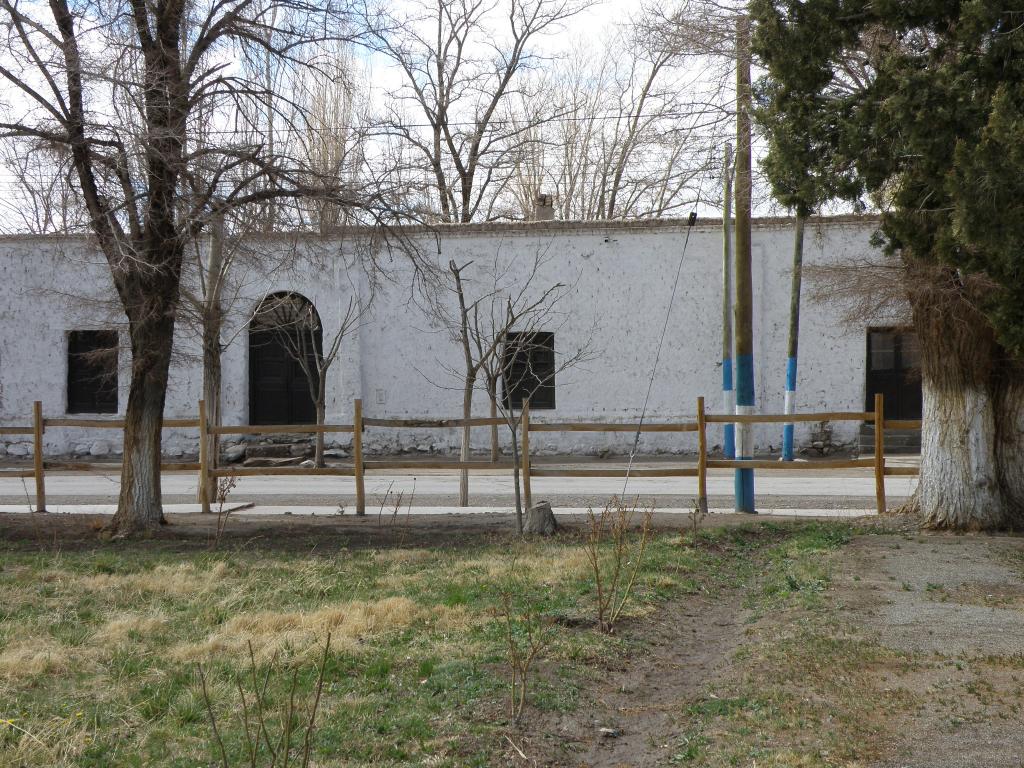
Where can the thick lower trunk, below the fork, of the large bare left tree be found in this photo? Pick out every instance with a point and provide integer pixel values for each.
(140, 505)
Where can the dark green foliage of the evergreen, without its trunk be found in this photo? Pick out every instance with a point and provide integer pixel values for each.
(917, 106)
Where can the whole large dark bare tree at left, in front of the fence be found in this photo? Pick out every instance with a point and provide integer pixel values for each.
(127, 93)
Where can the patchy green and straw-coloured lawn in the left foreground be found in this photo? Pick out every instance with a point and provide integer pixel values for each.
(100, 650)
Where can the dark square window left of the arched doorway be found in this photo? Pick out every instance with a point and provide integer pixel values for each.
(93, 372)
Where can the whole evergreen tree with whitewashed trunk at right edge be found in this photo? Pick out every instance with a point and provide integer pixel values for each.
(918, 106)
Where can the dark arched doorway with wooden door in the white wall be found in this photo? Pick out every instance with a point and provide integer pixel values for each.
(284, 334)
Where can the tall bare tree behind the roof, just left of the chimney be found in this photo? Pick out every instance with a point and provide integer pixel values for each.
(460, 68)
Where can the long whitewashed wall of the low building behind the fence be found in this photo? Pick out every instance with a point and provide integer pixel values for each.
(618, 279)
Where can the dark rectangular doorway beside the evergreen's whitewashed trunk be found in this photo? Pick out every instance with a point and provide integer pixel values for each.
(894, 370)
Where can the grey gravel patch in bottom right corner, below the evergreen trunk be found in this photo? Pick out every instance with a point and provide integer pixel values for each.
(955, 605)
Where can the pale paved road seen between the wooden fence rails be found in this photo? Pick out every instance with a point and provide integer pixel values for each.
(829, 490)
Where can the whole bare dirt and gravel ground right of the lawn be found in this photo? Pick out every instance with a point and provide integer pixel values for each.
(936, 626)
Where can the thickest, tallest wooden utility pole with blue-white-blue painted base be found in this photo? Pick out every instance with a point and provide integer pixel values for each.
(745, 283)
